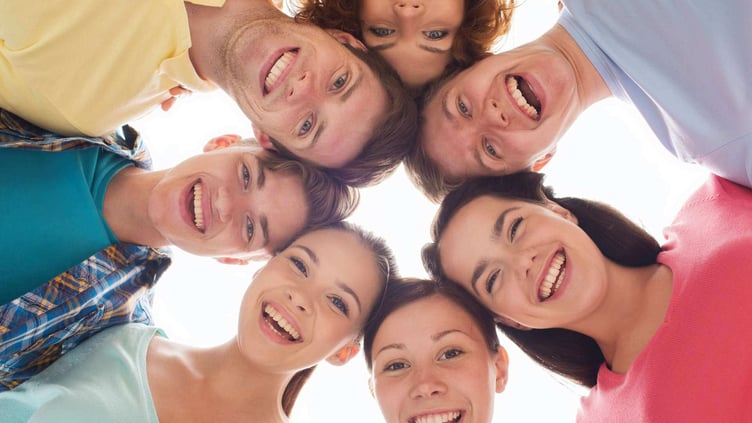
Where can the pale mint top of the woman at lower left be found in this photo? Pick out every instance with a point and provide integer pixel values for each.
(104, 379)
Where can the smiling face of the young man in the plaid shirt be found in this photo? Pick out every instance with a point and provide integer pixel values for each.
(224, 203)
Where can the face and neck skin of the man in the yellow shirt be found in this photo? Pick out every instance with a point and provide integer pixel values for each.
(322, 84)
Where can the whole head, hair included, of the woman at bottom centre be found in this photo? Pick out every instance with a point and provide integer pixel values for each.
(447, 360)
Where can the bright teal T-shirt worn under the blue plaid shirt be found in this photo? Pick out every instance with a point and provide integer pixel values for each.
(51, 213)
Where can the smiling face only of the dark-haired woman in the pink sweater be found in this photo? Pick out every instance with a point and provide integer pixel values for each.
(525, 262)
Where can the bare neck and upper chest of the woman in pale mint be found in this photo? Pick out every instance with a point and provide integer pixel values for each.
(216, 383)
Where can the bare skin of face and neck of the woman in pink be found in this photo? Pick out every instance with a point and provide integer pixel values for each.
(620, 307)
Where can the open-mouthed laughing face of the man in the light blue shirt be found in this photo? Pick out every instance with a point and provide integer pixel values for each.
(502, 115)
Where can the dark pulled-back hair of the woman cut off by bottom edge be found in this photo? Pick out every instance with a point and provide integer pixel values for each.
(407, 291)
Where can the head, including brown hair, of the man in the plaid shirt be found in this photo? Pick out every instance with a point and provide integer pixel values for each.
(243, 202)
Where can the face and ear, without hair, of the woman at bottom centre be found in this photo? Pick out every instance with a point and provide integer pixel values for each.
(437, 367)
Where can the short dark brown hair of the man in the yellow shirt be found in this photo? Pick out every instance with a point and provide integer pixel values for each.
(392, 137)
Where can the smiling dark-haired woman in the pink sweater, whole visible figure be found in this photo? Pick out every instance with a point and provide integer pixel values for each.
(591, 296)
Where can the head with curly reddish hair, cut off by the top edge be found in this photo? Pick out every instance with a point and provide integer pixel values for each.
(460, 31)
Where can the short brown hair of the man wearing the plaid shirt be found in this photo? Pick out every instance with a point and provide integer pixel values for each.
(328, 199)
